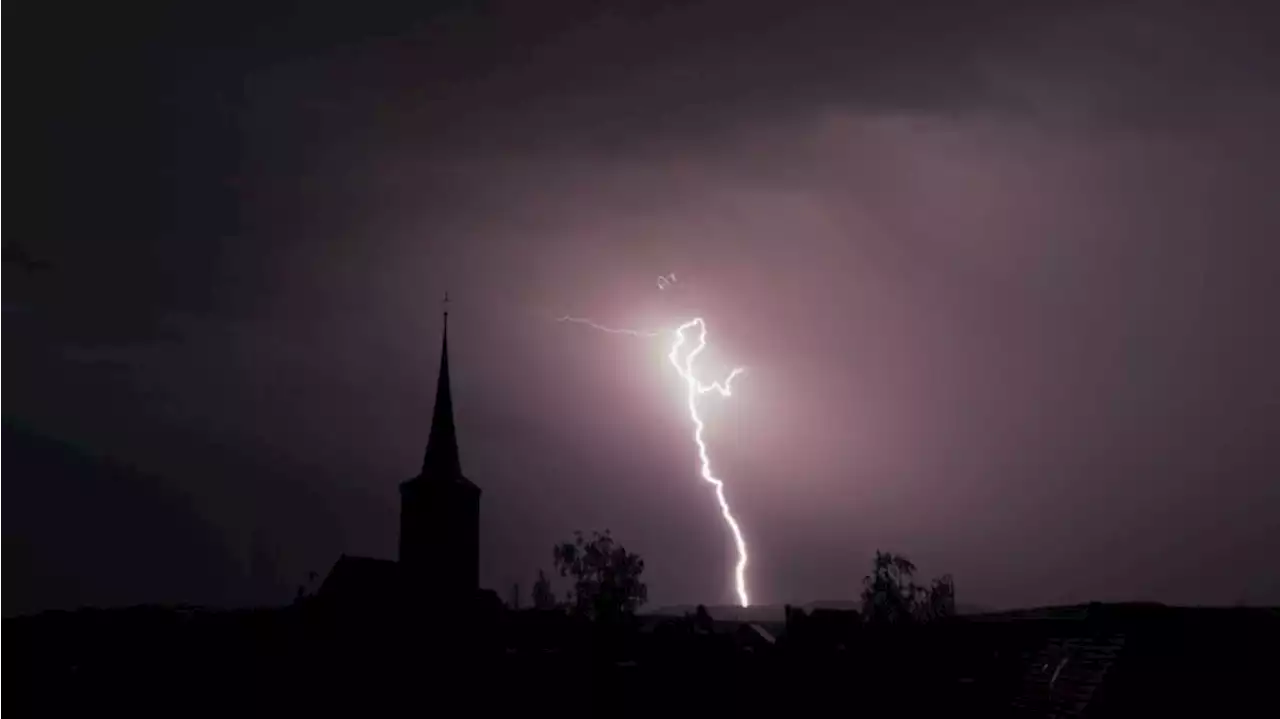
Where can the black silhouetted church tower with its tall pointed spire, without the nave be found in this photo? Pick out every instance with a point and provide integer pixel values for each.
(440, 543)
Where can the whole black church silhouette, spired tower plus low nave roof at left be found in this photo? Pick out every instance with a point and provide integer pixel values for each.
(440, 533)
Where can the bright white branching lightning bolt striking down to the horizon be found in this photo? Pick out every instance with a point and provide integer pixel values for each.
(696, 390)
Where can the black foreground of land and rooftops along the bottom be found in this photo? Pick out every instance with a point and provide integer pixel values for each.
(1095, 661)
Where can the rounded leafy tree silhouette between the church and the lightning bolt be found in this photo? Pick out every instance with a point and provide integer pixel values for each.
(606, 576)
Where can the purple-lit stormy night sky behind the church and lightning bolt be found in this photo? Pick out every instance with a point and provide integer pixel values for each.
(1004, 277)
